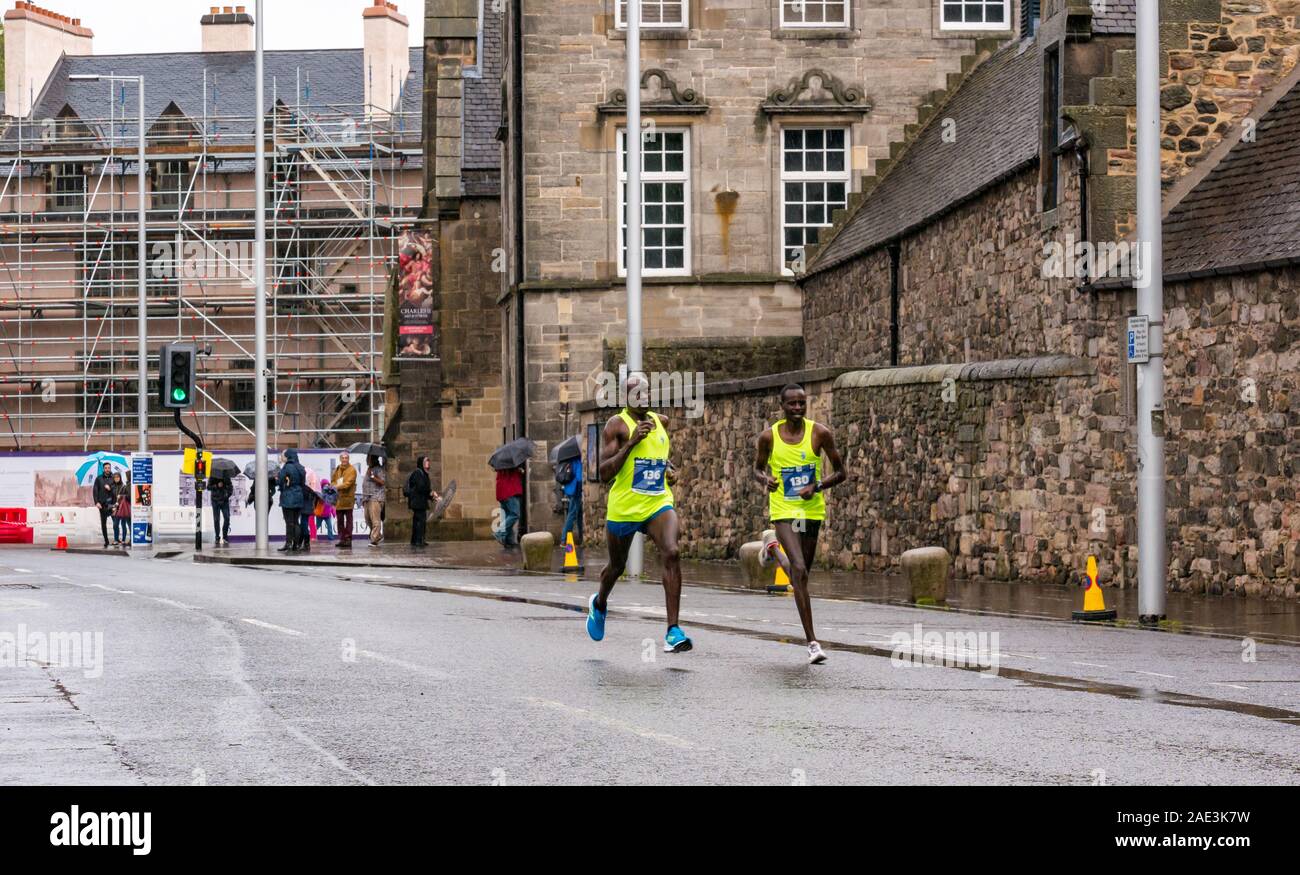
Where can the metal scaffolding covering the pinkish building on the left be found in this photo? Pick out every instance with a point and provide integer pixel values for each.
(344, 183)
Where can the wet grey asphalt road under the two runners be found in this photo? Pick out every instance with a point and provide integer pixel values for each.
(224, 675)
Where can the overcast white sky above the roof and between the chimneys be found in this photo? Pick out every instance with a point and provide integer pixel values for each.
(128, 27)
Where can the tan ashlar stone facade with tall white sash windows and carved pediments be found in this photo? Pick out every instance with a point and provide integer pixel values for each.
(765, 120)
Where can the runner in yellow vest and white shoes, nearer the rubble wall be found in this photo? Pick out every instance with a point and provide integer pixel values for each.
(788, 465)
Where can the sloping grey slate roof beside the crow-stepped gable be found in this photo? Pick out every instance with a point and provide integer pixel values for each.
(996, 112)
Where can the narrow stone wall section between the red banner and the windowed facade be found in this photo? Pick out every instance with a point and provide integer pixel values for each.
(452, 409)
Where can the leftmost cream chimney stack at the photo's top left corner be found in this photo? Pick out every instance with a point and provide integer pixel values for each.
(34, 41)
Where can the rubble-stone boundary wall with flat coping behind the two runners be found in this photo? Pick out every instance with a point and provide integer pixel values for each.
(990, 461)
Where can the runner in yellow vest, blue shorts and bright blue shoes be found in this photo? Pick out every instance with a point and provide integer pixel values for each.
(635, 457)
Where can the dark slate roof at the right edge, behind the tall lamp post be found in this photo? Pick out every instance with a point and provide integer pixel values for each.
(1247, 210)
